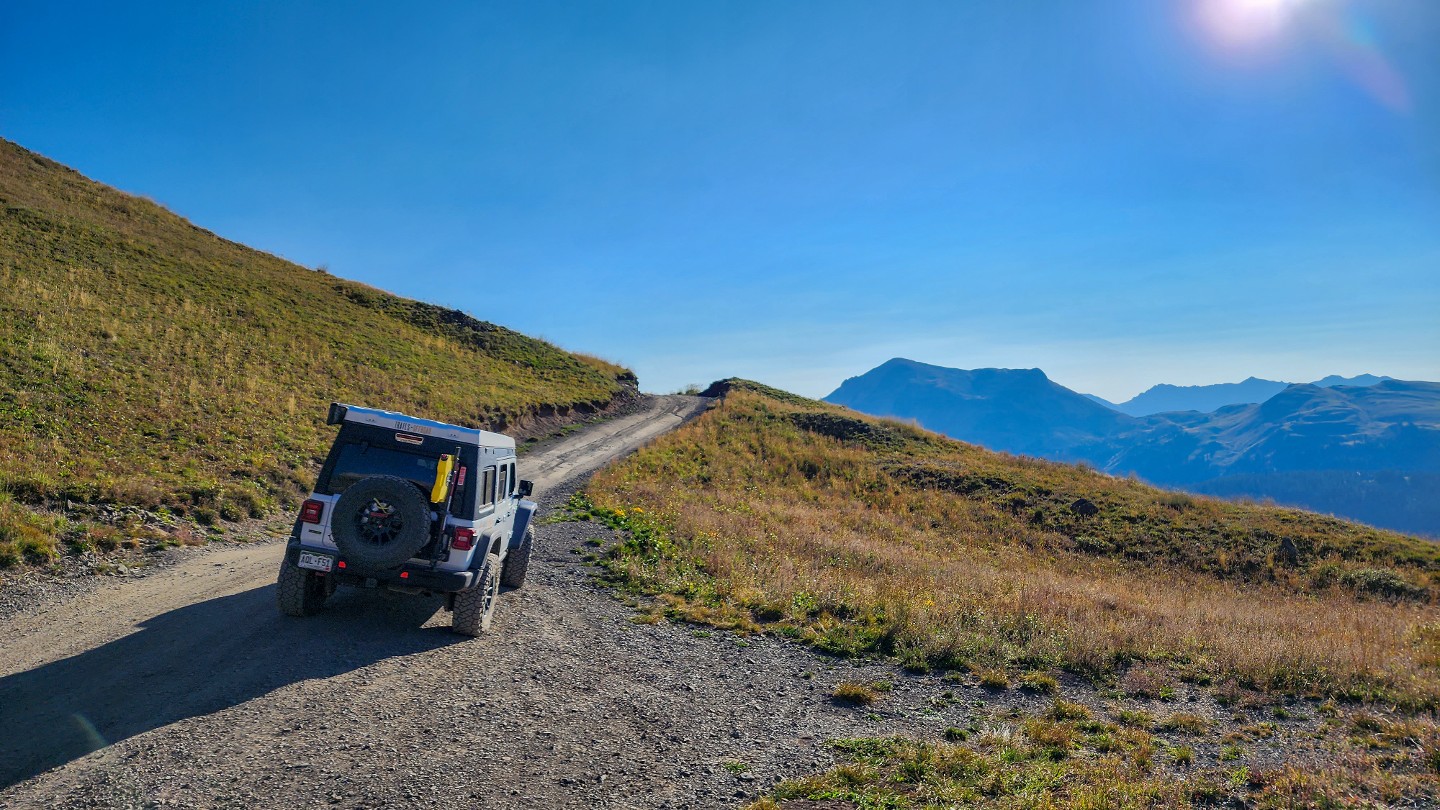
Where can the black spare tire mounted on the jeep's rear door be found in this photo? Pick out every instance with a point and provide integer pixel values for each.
(381, 522)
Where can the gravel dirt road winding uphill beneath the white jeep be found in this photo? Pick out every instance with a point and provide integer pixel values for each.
(188, 690)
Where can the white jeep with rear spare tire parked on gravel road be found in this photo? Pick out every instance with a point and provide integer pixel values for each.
(413, 507)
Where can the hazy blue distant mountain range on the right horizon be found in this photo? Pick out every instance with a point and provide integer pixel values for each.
(1370, 452)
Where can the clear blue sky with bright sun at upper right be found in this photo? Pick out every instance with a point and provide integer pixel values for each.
(1121, 192)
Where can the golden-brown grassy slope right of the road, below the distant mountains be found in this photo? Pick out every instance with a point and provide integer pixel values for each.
(866, 537)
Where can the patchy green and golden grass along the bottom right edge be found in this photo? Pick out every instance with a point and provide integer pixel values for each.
(1058, 763)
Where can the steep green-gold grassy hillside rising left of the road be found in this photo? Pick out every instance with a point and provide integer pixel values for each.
(145, 361)
